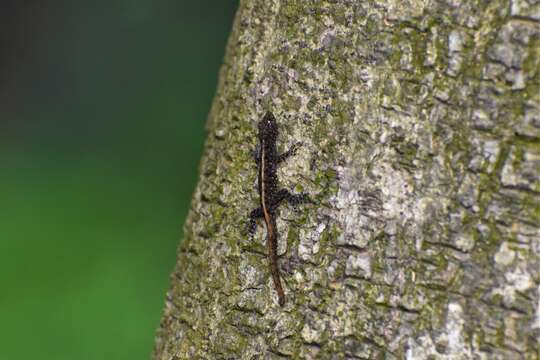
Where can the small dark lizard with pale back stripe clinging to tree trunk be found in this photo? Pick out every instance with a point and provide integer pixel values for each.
(271, 196)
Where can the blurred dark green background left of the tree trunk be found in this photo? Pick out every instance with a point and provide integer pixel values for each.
(102, 113)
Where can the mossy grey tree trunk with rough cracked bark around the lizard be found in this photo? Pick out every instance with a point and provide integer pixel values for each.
(421, 130)
